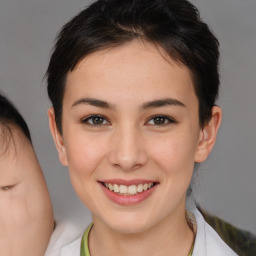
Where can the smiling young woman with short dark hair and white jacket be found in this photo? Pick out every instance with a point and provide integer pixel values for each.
(133, 86)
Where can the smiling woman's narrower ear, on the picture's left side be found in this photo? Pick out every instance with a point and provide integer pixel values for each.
(57, 137)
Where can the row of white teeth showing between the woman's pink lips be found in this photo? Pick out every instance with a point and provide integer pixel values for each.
(131, 190)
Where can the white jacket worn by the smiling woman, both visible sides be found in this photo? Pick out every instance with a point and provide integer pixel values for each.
(207, 242)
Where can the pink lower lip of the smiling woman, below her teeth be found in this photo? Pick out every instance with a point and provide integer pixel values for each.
(128, 200)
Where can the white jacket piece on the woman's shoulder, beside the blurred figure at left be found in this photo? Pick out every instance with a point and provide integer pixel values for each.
(65, 241)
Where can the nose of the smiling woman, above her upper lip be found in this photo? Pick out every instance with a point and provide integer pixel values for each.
(127, 149)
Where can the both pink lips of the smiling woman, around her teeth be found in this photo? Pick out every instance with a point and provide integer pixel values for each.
(130, 199)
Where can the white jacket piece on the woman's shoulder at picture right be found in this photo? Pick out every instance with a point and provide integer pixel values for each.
(208, 242)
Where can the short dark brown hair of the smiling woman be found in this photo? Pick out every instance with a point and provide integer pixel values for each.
(174, 25)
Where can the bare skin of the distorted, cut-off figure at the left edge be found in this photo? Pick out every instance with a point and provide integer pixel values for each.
(26, 216)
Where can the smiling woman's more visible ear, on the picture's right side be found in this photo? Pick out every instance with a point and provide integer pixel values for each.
(208, 135)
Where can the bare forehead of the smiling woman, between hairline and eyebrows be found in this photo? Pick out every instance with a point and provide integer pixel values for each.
(129, 70)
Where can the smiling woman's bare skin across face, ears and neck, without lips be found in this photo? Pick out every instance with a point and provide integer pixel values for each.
(130, 144)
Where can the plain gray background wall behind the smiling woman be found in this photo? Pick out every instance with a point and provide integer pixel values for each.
(227, 181)
